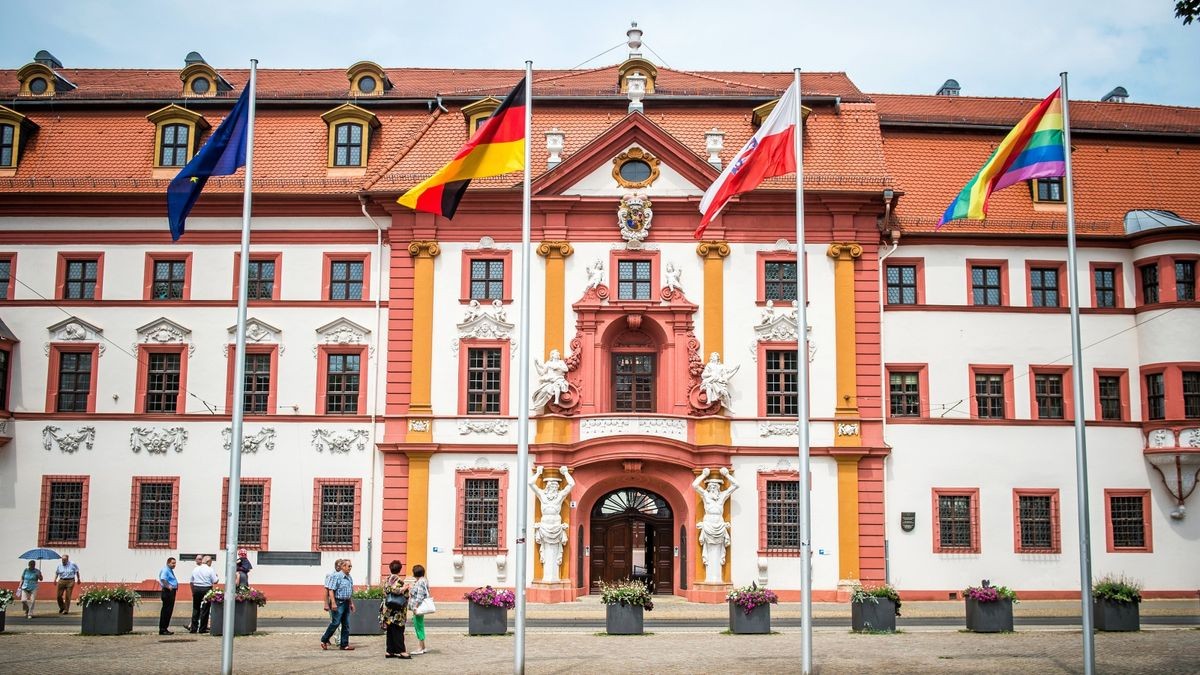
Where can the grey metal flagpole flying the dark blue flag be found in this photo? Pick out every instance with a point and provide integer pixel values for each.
(239, 392)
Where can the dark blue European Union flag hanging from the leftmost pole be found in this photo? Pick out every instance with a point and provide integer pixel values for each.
(224, 153)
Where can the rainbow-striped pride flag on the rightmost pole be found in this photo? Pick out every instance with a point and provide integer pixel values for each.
(1034, 150)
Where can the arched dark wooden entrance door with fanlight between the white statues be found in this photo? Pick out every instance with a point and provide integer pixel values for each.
(632, 537)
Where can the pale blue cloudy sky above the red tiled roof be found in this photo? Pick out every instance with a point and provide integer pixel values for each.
(1013, 49)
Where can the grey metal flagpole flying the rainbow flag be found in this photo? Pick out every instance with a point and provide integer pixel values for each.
(1077, 366)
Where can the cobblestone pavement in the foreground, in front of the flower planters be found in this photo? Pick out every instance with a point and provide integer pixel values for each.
(1161, 652)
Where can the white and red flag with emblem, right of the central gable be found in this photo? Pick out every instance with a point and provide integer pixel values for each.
(770, 153)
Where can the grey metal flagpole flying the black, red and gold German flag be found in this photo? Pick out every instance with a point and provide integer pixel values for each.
(524, 391)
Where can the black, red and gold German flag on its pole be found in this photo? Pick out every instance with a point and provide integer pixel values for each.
(496, 150)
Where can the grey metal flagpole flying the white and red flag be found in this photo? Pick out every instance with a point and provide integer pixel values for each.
(802, 396)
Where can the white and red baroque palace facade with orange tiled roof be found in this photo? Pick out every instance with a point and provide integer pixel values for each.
(383, 345)
